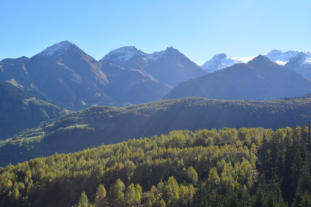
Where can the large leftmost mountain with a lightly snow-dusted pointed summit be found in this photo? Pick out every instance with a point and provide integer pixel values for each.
(62, 73)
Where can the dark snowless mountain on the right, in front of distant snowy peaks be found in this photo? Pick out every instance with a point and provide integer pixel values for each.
(258, 79)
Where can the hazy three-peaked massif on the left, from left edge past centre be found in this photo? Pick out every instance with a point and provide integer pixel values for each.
(70, 78)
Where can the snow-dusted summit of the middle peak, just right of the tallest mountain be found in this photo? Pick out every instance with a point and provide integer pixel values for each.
(123, 54)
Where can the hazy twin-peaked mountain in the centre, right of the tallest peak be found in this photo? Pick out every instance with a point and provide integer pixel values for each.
(169, 66)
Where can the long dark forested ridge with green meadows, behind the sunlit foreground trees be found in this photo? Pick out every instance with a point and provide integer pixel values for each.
(107, 125)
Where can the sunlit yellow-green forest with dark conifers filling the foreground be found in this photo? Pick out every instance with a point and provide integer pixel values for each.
(246, 167)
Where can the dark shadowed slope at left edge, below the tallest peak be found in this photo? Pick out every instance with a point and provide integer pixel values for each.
(19, 110)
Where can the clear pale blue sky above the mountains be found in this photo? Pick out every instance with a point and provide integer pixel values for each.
(198, 28)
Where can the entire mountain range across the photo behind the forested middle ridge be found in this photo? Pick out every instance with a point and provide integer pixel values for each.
(64, 76)
